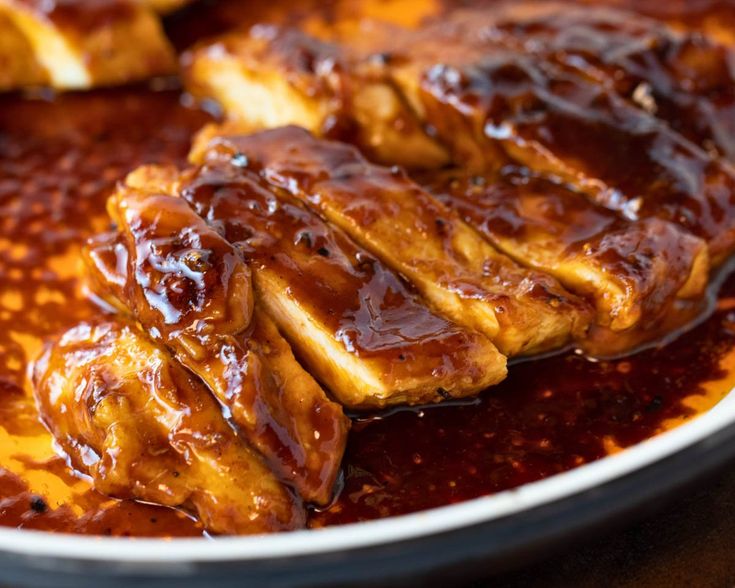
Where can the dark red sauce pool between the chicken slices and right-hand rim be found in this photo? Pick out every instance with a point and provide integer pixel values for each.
(548, 417)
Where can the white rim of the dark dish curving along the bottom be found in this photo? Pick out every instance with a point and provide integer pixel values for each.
(368, 534)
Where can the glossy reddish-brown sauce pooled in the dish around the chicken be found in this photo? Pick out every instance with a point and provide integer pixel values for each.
(58, 161)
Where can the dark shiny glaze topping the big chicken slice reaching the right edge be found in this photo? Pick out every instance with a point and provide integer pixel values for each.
(583, 134)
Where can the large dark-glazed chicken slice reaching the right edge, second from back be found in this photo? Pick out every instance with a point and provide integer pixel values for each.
(492, 106)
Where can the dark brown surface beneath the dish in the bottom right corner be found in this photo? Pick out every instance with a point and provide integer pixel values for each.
(687, 541)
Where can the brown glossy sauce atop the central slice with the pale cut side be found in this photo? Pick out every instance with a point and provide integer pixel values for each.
(342, 285)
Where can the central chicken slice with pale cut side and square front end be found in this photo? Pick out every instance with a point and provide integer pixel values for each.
(358, 328)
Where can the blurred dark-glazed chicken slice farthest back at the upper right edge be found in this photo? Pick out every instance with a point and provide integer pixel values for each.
(684, 79)
